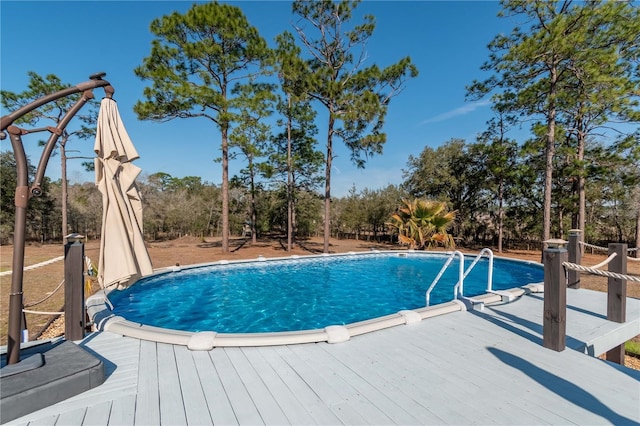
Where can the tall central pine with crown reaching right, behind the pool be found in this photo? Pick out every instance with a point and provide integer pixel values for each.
(354, 95)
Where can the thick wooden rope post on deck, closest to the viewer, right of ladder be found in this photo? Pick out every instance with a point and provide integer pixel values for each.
(554, 326)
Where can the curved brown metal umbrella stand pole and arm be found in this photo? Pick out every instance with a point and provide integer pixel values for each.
(23, 193)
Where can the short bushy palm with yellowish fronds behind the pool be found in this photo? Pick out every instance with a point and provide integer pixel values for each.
(423, 224)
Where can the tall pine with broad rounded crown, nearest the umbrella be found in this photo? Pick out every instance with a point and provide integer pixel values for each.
(194, 60)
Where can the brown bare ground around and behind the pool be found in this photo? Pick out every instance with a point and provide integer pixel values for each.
(41, 282)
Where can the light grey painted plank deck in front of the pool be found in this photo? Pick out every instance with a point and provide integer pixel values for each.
(484, 367)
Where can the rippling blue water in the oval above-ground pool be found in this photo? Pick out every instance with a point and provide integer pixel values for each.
(305, 293)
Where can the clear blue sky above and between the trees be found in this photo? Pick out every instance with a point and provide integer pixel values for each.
(446, 40)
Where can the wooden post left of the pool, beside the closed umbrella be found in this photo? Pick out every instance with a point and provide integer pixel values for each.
(74, 315)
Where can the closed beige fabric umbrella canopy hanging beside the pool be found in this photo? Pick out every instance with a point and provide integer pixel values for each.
(123, 255)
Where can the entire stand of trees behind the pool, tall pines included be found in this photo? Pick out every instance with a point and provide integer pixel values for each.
(569, 72)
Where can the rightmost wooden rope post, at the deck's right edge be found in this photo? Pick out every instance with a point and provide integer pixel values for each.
(617, 296)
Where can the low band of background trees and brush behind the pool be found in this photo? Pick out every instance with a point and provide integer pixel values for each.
(496, 207)
